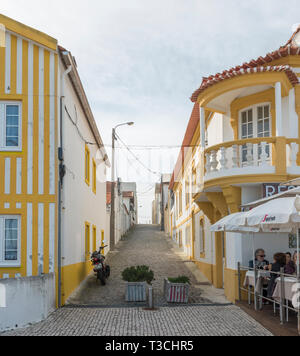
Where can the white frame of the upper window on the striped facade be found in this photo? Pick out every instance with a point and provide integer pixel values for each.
(3, 146)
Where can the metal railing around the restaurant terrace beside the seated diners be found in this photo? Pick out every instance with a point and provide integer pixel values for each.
(282, 302)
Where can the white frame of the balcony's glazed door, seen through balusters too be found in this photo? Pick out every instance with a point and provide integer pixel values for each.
(254, 109)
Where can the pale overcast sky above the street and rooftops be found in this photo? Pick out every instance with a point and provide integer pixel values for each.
(141, 60)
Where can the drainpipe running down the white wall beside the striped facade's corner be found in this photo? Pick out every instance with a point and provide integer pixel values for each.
(62, 171)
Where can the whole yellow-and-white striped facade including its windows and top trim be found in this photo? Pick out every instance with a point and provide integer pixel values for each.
(28, 159)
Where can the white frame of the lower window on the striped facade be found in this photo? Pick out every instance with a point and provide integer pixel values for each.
(3, 263)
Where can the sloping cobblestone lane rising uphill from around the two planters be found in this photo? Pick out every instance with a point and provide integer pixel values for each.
(146, 245)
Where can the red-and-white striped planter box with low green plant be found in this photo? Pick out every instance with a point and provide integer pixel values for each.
(177, 289)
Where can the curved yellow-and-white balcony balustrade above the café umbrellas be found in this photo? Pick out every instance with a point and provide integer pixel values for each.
(254, 156)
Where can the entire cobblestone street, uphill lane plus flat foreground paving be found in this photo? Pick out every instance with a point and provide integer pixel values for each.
(98, 310)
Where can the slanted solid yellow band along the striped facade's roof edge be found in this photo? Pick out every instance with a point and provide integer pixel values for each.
(28, 32)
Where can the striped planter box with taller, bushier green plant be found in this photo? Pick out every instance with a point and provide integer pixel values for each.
(137, 279)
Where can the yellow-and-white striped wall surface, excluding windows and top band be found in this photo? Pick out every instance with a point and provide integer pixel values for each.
(28, 75)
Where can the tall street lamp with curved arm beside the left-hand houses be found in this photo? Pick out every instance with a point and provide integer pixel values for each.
(112, 208)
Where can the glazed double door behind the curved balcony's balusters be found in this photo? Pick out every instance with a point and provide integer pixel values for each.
(255, 122)
